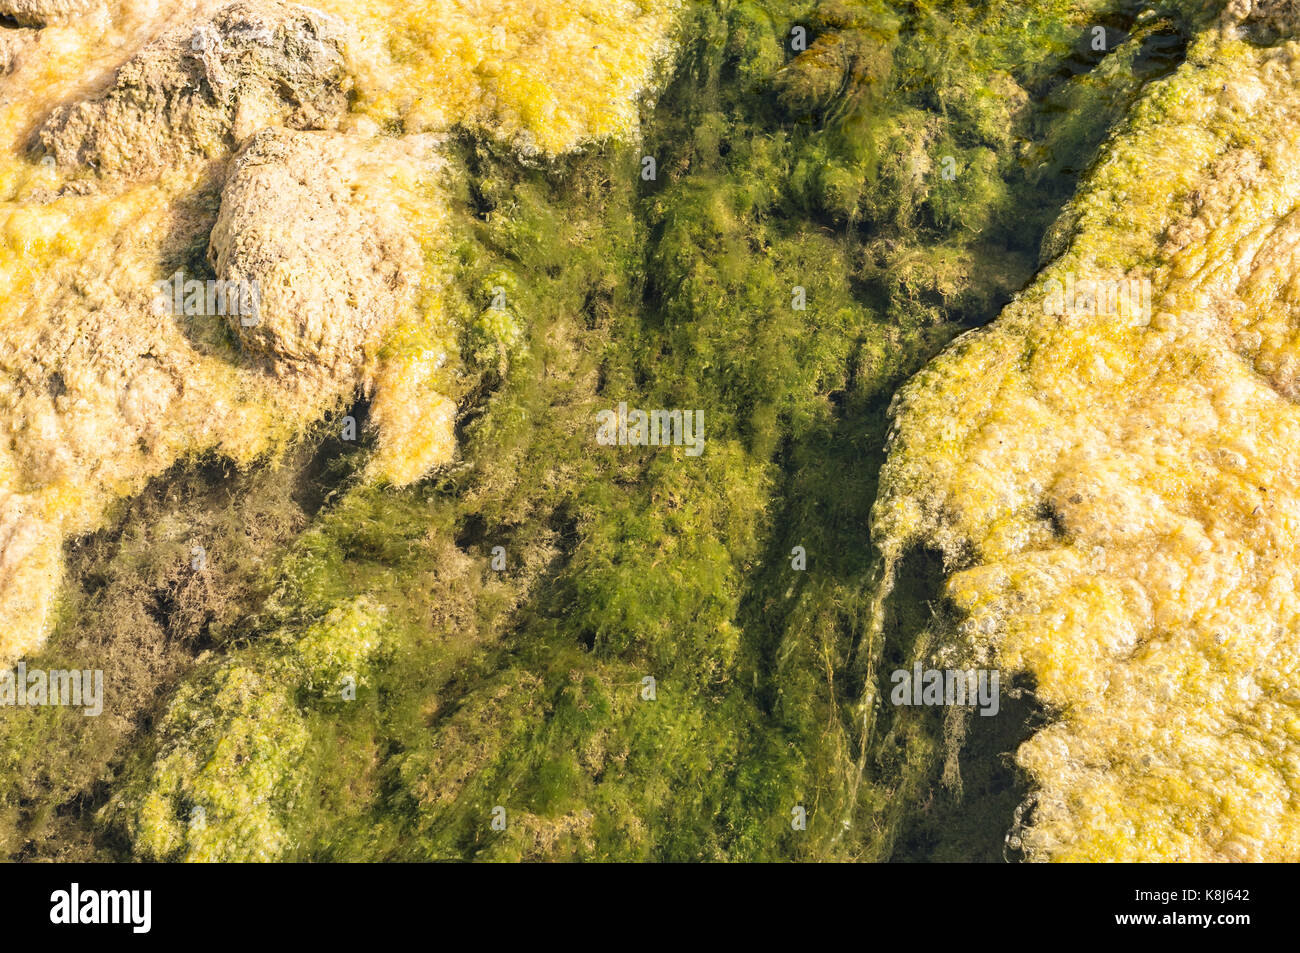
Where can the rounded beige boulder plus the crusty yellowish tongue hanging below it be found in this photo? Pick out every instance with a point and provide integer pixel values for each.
(328, 294)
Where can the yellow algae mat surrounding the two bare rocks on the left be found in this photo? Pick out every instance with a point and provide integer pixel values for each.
(101, 389)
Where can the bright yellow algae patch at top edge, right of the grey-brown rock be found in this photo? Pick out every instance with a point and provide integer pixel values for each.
(543, 75)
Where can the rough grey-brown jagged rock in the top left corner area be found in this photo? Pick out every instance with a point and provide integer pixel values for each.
(197, 93)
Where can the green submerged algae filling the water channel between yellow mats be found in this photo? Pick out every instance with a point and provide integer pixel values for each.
(523, 688)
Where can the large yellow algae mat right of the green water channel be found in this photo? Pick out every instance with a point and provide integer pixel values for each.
(1117, 492)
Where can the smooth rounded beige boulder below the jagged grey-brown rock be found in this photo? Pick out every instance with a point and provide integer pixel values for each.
(332, 281)
